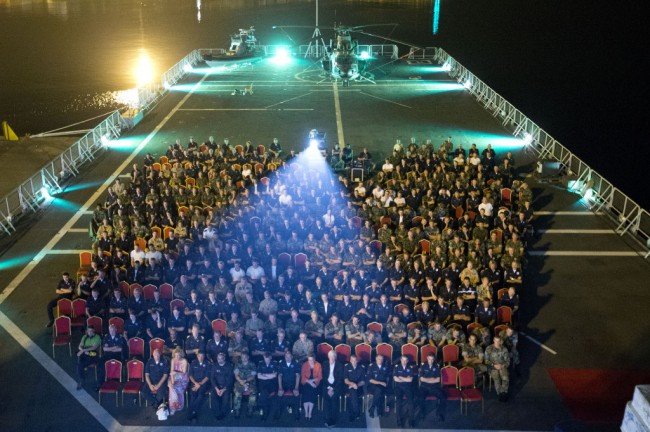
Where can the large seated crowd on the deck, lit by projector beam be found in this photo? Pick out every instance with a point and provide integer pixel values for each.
(427, 245)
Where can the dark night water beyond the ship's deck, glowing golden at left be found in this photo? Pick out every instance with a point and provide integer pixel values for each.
(571, 66)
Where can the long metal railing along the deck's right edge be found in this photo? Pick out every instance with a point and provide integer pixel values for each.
(598, 192)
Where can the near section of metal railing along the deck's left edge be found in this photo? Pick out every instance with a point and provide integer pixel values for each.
(39, 189)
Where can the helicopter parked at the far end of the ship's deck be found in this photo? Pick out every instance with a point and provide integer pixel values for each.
(343, 61)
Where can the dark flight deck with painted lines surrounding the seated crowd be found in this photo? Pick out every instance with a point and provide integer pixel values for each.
(405, 100)
